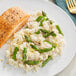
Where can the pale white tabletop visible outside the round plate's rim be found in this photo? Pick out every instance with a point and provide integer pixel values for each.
(70, 70)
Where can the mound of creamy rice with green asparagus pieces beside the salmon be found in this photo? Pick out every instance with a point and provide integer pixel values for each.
(38, 42)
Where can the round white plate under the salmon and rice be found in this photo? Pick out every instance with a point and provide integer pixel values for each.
(67, 26)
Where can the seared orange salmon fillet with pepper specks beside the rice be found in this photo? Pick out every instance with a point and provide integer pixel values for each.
(10, 22)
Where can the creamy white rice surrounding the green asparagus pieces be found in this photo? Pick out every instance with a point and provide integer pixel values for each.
(18, 40)
